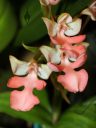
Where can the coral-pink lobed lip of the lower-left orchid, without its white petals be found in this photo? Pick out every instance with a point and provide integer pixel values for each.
(25, 100)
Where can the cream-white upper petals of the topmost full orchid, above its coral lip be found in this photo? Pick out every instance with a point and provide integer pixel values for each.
(65, 24)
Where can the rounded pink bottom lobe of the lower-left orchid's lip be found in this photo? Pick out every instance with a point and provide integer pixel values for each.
(23, 100)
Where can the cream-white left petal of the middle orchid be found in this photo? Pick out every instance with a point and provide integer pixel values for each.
(51, 54)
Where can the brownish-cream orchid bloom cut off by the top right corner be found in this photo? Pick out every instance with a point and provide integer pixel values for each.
(90, 11)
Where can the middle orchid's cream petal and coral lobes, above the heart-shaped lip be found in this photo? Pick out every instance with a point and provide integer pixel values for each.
(60, 58)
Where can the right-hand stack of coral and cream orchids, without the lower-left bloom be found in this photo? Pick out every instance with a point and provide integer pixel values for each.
(67, 53)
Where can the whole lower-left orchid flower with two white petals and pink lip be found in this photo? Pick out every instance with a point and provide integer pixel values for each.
(25, 100)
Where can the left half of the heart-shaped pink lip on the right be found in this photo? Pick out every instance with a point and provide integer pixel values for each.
(69, 81)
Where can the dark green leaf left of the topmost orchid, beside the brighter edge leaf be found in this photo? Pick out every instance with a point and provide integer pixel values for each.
(33, 27)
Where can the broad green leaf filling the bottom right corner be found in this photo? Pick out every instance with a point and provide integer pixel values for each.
(82, 115)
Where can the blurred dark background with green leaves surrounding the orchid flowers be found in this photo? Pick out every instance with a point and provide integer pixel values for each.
(20, 22)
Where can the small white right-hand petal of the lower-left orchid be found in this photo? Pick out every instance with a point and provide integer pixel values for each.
(44, 71)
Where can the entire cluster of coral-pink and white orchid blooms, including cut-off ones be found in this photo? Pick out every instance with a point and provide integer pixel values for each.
(66, 53)
